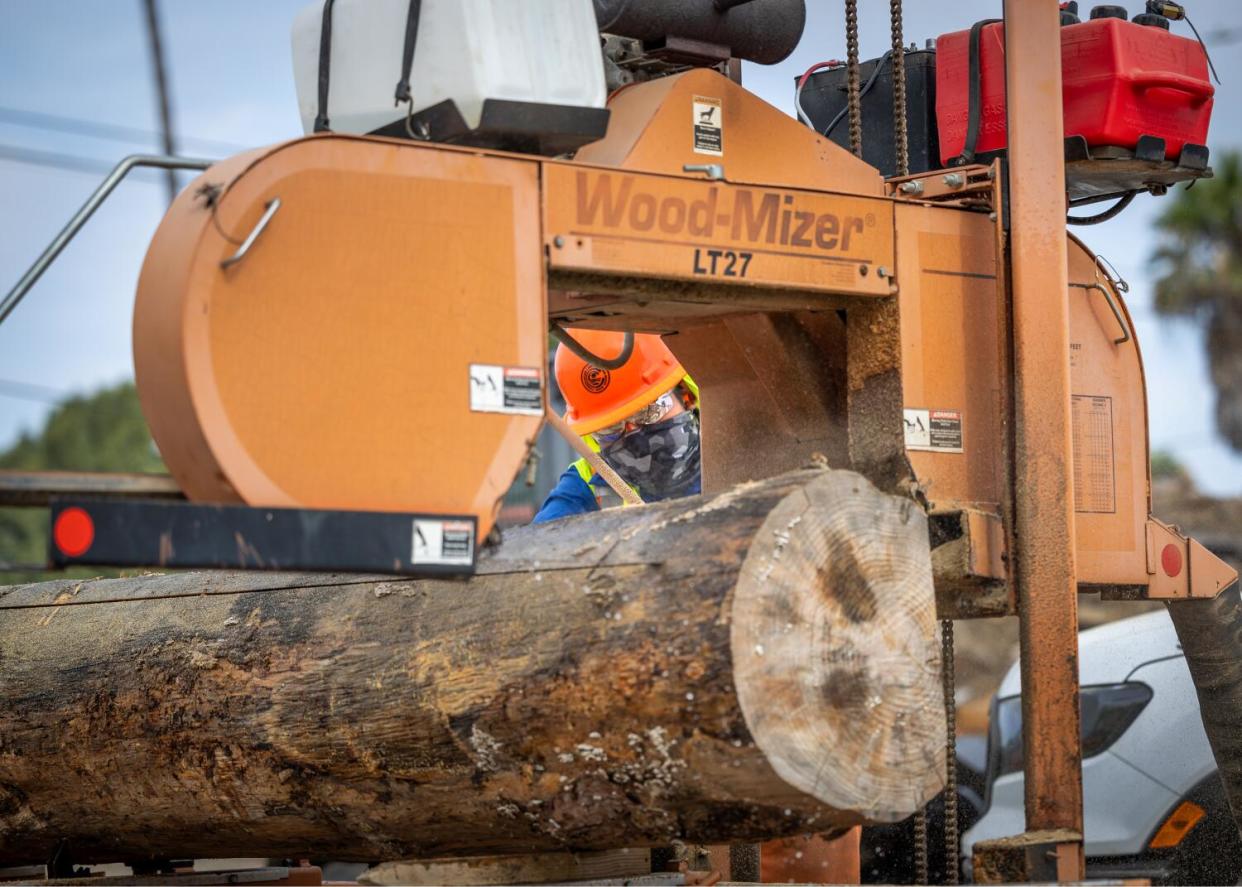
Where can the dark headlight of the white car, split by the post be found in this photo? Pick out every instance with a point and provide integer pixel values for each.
(1107, 712)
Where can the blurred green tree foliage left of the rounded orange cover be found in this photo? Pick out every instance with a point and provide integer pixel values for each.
(104, 432)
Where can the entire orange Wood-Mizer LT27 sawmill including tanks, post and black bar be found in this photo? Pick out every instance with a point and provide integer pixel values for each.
(341, 341)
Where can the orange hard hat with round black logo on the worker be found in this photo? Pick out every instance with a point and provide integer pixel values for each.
(599, 398)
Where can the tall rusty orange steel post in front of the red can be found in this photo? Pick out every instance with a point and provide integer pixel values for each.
(1044, 501)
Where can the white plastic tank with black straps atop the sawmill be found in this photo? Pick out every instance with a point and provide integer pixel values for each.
(468, 52)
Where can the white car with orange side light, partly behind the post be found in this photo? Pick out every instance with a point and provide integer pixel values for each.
(1153, 802)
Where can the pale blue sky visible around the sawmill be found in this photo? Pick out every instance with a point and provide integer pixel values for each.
(233, 88)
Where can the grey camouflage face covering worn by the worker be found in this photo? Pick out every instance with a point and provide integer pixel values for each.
(661, 462)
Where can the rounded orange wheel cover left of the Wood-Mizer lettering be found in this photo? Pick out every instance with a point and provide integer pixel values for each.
(381, 347)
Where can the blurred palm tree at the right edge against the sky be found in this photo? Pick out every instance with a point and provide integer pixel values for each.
(1200, 268)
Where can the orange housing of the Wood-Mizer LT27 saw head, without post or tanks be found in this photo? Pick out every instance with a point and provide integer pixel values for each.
(822, 312)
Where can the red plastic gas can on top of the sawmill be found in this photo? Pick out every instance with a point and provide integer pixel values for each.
(1120, 80)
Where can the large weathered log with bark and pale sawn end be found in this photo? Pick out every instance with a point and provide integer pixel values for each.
(758, 664)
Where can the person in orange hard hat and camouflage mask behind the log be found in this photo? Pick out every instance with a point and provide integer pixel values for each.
(643, 419)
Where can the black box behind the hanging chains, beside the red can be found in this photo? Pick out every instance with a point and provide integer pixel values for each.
(825, 98)
